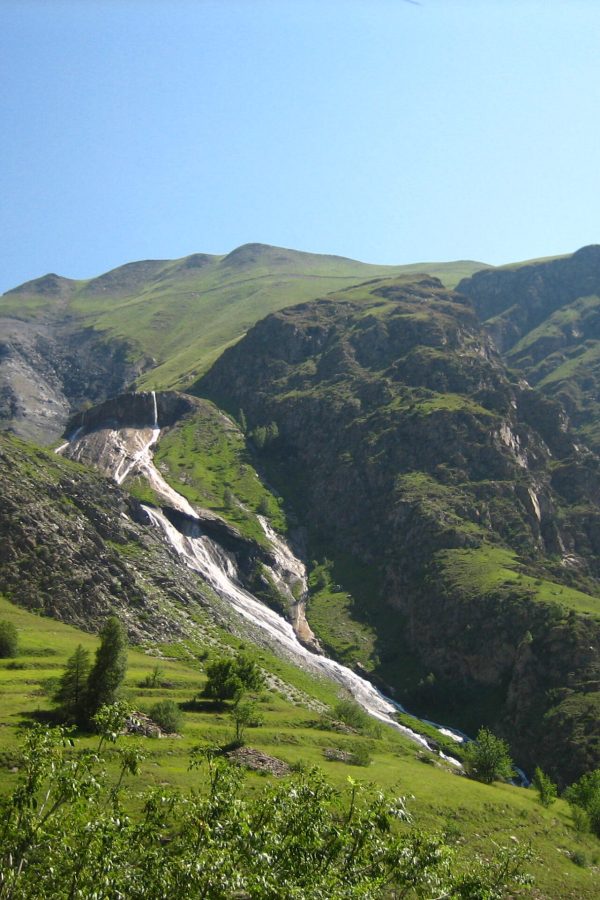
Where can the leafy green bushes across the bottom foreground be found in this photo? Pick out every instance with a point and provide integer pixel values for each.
(65, 832)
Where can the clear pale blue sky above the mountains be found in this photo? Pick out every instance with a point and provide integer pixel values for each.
(386, 130)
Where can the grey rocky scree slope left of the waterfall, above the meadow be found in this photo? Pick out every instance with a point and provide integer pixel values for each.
(73, 545)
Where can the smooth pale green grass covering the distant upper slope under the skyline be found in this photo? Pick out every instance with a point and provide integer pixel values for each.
(185, 316)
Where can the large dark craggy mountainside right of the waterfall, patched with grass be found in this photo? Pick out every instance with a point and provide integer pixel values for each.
(404, 442)
